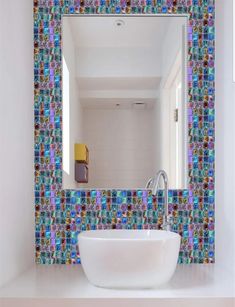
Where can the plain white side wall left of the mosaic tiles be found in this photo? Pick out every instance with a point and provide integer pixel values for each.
(16, 138)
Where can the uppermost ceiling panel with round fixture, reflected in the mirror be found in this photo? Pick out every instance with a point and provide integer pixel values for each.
(100, 32)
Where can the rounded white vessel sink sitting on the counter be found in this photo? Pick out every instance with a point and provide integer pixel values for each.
(129, 258)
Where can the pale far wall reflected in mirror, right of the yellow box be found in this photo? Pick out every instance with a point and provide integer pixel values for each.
(120, 145)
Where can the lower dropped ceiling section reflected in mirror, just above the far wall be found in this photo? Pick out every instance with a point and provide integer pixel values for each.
(107, 92)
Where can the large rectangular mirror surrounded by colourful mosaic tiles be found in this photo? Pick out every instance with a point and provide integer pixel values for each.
(124, 101)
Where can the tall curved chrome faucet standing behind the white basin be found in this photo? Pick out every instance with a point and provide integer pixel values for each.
(167, 219)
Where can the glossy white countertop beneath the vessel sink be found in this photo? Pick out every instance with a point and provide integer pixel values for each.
(69, 281)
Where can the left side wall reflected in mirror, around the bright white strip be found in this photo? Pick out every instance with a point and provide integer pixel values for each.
(75, 116)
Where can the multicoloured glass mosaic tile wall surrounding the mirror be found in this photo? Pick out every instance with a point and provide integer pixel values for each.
(61, 214)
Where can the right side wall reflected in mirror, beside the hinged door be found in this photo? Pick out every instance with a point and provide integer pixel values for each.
(170, 59)
